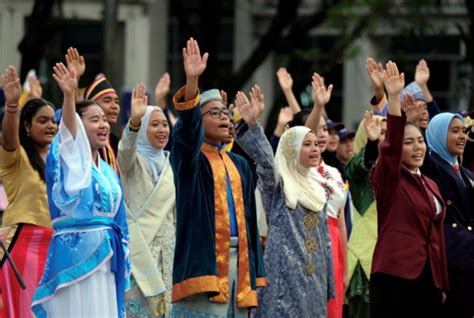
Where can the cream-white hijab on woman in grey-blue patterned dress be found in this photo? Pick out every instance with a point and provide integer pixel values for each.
(298, 185)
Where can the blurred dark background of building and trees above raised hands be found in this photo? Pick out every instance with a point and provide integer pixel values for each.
(248, 40)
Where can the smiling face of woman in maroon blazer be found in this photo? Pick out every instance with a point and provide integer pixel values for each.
(414, 148)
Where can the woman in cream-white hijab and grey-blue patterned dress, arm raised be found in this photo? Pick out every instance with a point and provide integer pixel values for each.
(298, 257)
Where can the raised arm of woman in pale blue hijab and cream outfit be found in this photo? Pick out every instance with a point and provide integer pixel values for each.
(128, 144)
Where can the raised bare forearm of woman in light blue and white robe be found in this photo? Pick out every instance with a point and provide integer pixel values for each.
(67, 81)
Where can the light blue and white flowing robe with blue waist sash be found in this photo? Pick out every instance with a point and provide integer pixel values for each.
(89, 222)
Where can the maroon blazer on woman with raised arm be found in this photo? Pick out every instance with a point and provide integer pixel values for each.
(410, 234)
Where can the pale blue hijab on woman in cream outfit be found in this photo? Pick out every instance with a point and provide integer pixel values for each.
(156, 158)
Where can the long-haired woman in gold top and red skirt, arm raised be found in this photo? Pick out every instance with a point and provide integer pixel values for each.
(26, 224)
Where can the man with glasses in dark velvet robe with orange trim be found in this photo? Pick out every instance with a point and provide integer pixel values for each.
(218, 260)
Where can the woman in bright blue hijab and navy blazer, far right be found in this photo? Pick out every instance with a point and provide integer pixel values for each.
(446, 141)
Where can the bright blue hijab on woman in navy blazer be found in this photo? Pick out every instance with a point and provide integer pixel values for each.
(437, 134)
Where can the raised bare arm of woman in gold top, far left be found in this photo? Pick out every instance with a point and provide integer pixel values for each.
(11, 120)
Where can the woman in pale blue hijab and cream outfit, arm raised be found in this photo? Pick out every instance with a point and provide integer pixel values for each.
(149, 195)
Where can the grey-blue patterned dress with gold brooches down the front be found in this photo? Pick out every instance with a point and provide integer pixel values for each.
(298, 256)
